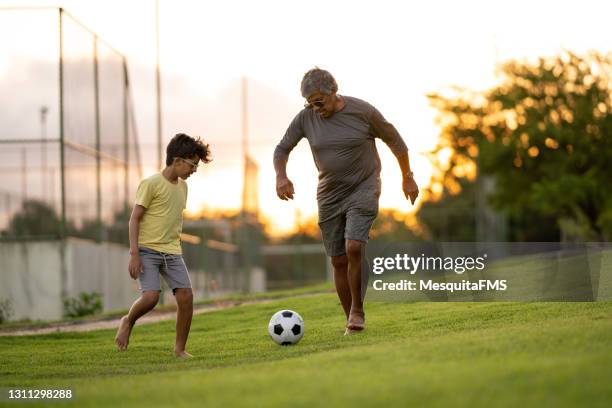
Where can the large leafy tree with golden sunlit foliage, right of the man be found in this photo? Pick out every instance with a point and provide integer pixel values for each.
(544, 134)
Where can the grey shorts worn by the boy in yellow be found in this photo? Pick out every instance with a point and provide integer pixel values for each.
(170, 266)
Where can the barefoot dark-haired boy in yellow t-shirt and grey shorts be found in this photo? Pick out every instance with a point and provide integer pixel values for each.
(155, 247)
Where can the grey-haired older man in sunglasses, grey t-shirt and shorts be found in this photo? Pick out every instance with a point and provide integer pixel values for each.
(341, 131)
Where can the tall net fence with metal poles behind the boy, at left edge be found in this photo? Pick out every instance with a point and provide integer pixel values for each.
(69, 156)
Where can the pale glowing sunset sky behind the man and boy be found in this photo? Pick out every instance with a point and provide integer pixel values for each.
(389, 53)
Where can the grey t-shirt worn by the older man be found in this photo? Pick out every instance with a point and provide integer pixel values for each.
(343, 149)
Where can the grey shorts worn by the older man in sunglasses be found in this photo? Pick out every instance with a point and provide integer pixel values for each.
(353, 221)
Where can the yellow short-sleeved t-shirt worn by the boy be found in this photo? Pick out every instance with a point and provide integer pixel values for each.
(162, 222)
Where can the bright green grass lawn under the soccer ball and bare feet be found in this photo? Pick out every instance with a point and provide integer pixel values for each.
(440, 354)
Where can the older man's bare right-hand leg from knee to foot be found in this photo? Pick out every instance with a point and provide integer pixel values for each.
(354, 253)
